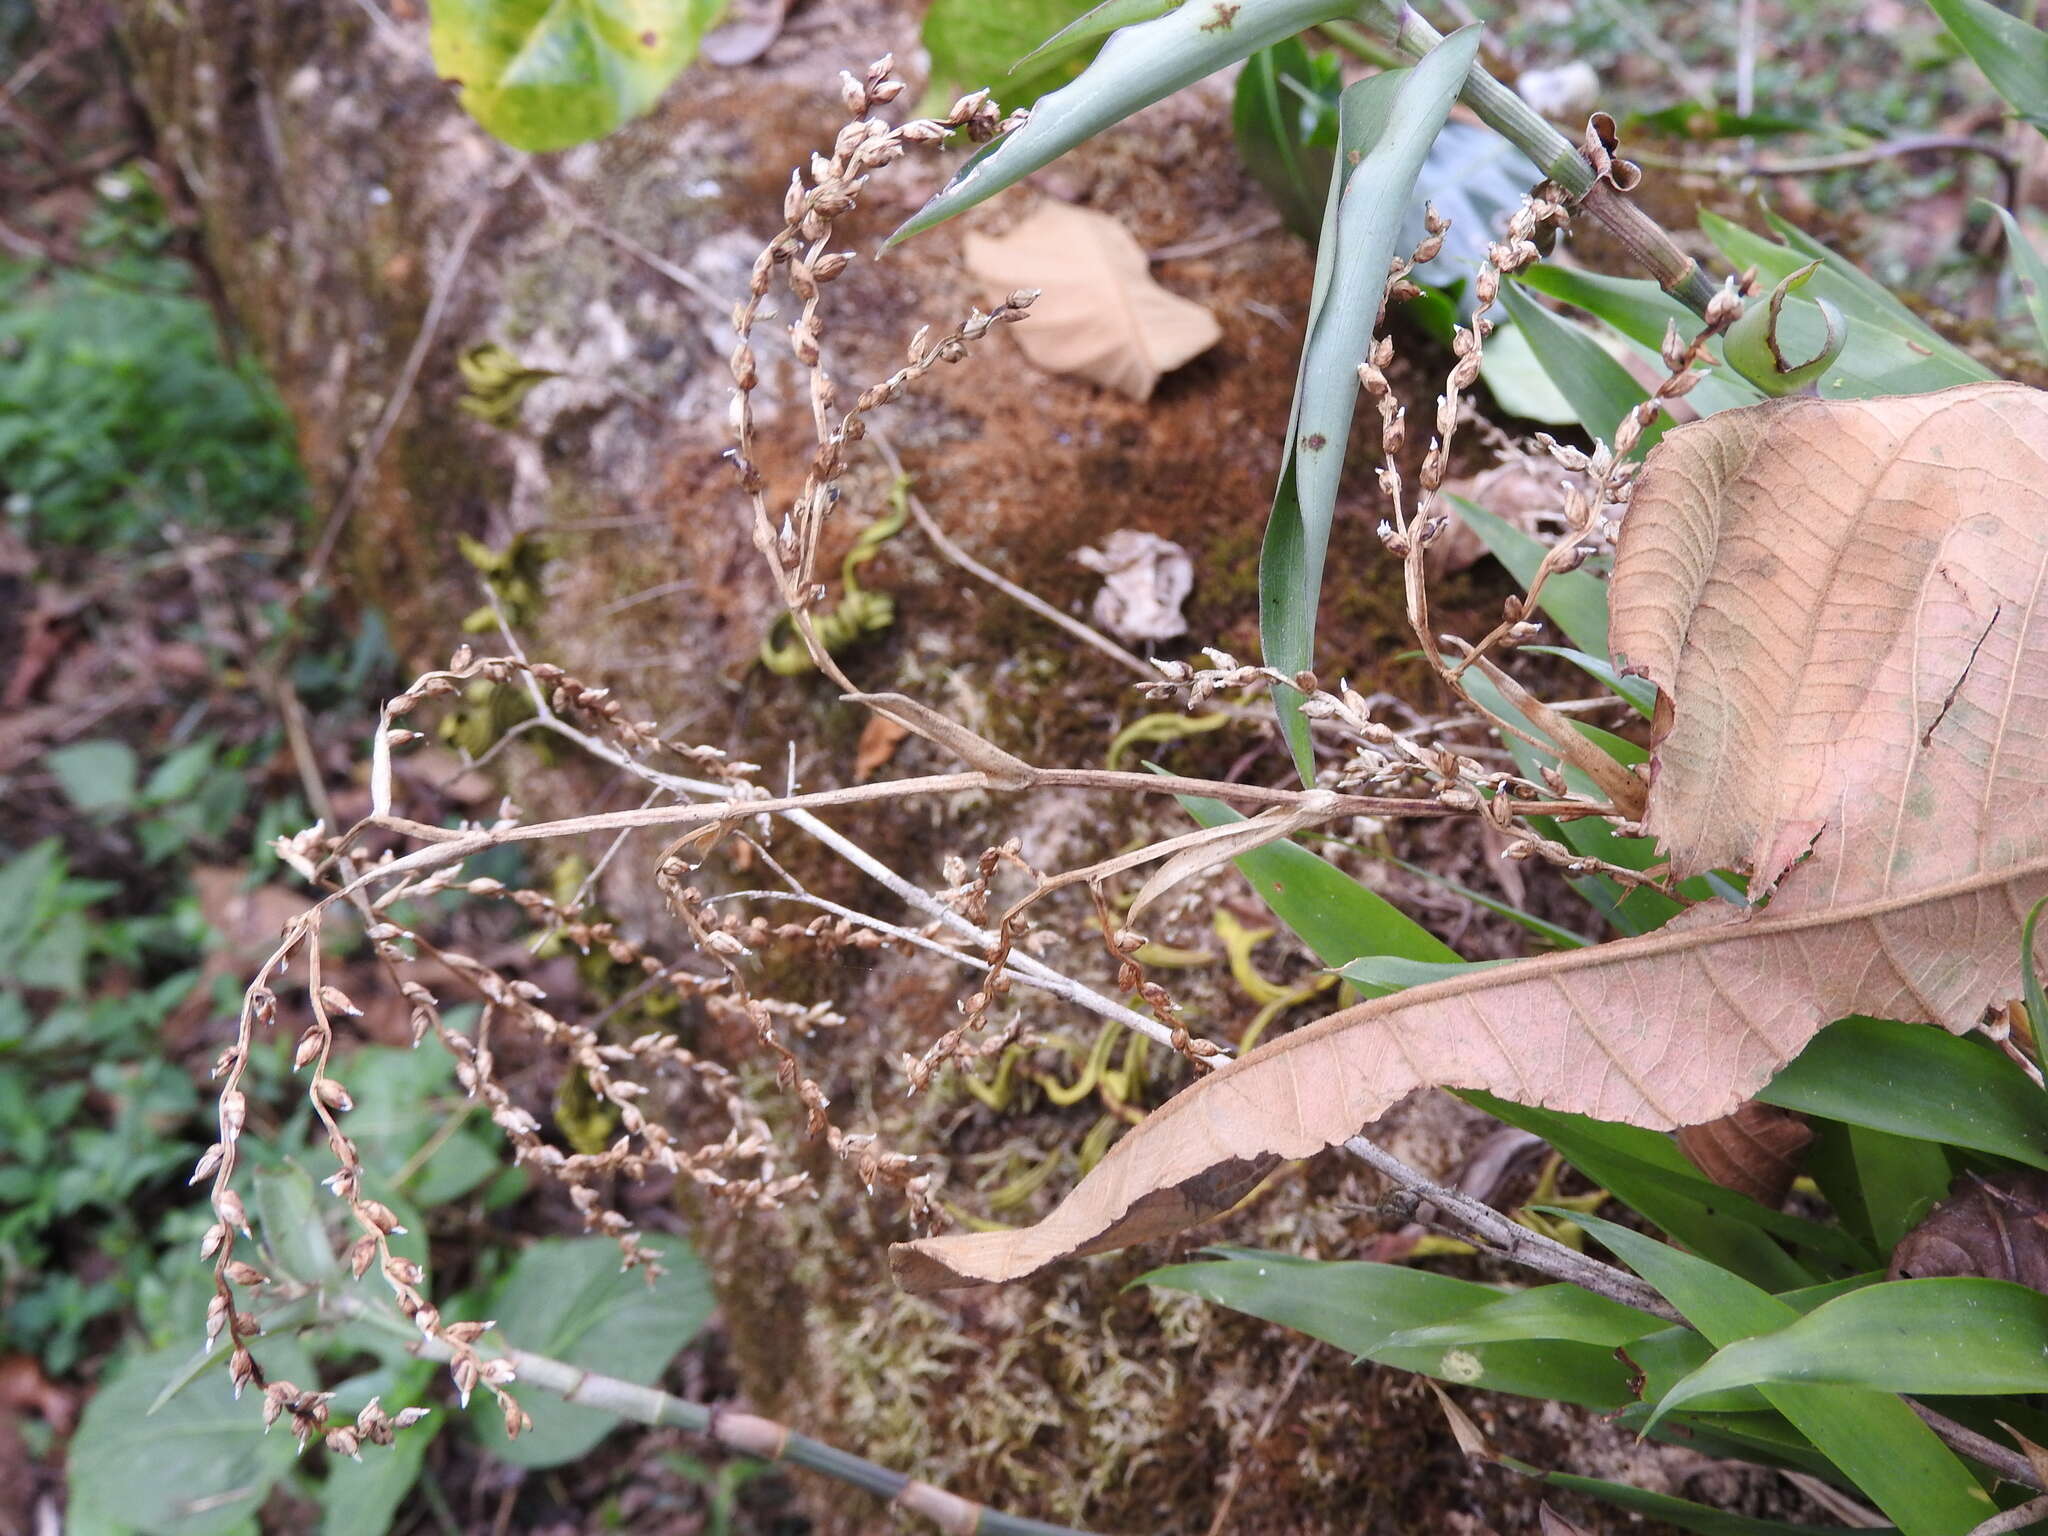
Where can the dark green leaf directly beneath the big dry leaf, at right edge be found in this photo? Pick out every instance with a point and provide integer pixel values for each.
(1914, 1080)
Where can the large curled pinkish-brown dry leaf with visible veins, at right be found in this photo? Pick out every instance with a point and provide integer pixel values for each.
(1844, 607)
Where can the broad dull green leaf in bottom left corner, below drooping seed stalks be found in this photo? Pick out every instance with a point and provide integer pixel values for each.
(202, 1467)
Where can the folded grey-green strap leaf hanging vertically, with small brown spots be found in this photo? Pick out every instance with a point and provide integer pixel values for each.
(1385, 128)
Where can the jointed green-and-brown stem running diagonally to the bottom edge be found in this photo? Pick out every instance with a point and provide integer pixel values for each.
(742, 1433)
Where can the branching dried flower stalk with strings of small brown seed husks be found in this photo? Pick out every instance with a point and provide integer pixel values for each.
(1441, 763)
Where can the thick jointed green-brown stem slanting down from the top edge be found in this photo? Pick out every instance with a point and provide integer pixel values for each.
(1533, 134)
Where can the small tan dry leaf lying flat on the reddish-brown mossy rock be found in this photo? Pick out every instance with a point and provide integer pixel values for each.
(1099, 312)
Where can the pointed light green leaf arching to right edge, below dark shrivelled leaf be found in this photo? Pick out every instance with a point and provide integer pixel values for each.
(1949, 1336)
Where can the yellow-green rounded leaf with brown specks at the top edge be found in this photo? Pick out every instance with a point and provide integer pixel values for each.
(544, 75)
